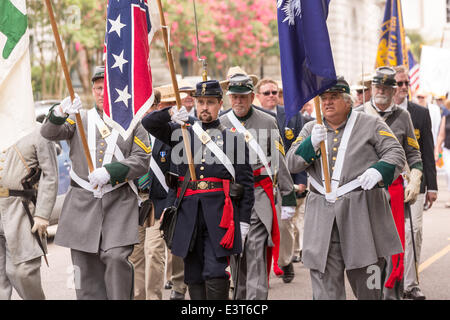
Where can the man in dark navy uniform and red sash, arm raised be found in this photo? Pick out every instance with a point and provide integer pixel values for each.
(214, 214)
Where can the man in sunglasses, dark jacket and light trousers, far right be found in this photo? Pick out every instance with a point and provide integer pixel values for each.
(428, 189)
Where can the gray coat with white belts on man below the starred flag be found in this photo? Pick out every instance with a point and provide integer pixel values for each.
(87, 223)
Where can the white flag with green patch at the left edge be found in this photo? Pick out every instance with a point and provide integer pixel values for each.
(17, 116)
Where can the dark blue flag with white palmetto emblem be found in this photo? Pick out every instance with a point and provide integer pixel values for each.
(307, 67)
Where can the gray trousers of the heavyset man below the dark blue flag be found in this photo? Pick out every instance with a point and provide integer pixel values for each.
(366, 283)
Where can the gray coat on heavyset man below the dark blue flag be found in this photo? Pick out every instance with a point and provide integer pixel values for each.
(363, 218)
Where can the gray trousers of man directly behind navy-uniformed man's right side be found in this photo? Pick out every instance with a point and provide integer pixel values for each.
(250, 273)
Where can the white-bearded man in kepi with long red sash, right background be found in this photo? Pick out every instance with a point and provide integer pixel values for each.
(398, 119)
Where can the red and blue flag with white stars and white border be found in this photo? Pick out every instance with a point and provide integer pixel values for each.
(128, 79)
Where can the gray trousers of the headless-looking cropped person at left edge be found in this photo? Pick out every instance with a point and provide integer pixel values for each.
(24, 277)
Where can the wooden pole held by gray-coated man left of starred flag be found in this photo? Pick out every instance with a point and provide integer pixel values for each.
(69, 83)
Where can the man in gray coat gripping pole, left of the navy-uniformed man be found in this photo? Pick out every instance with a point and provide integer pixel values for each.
(99, 219)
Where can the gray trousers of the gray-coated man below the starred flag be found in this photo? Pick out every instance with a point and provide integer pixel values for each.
(106, 275)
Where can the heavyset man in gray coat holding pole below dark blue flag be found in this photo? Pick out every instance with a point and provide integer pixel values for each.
(351, 228)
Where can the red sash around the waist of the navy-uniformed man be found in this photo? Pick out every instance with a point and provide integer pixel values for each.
(227, 221)
